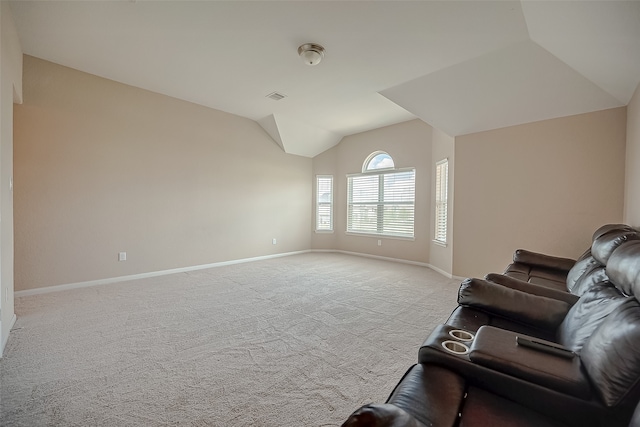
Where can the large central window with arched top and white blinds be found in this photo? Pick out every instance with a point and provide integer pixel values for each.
(381, 200)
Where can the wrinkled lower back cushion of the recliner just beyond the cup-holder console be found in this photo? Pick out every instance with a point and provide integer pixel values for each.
(587, 314)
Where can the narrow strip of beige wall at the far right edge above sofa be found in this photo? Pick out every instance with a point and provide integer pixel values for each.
(632, 170)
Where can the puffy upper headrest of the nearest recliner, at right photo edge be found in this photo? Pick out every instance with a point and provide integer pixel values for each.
(623, 268)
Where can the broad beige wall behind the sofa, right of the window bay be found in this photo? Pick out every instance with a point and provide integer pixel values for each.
(543, 186)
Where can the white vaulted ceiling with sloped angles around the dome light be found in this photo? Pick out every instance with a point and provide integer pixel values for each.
(460, 66)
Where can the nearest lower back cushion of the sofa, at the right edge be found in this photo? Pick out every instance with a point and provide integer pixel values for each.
(611, 357)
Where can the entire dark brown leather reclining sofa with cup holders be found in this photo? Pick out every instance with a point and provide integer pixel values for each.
(551, 342)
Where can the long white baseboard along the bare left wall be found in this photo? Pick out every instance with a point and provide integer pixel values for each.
(77, 285)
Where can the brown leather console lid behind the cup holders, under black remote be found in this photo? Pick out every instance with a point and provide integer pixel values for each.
(497, 349)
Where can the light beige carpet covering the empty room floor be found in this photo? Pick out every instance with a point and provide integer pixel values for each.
(301, 340)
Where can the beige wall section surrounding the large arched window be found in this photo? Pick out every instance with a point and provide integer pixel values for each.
(409, 144)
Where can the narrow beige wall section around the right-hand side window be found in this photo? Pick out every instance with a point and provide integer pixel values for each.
(441, 257)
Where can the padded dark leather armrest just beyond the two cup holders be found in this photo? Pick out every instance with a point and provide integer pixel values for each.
(538, 311)
